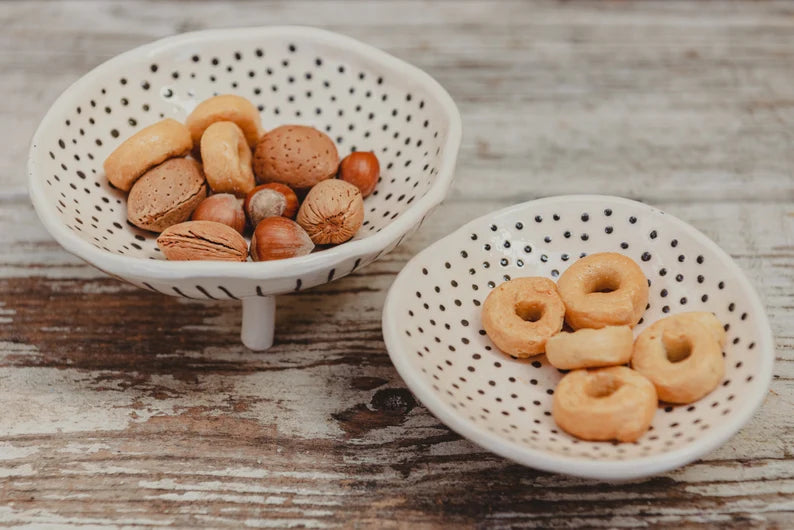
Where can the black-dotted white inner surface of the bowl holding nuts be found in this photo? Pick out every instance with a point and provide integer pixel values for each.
(293, 76)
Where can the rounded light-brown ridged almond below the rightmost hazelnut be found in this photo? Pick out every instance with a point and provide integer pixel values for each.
(332, 212)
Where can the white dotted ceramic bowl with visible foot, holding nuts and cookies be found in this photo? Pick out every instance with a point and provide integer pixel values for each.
(363, 98)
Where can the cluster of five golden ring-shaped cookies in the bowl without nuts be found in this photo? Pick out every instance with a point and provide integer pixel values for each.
(678, 359)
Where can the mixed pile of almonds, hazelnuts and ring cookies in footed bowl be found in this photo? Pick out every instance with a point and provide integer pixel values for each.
(246, 181)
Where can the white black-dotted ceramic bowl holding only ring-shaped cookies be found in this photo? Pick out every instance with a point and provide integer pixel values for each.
(432, 328)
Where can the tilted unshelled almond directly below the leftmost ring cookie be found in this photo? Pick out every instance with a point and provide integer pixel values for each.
(166, 194)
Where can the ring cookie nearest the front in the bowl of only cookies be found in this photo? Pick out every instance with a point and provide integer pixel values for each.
(614, 403)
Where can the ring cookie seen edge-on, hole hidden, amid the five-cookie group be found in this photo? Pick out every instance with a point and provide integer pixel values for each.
(590, 348)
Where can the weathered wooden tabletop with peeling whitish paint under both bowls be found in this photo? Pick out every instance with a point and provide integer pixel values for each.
(113, 415)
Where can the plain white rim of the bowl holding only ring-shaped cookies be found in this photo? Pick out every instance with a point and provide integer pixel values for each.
(594, 469)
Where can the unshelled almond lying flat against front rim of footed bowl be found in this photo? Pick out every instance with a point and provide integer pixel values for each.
(202, 240)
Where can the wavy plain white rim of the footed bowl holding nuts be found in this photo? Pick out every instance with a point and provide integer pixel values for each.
(165, 270)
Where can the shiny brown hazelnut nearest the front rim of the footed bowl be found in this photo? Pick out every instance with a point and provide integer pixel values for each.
(279, 238)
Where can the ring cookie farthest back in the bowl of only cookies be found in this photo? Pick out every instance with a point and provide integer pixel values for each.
(604, 289)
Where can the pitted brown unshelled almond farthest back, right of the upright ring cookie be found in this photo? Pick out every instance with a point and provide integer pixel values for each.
(295, 155)
